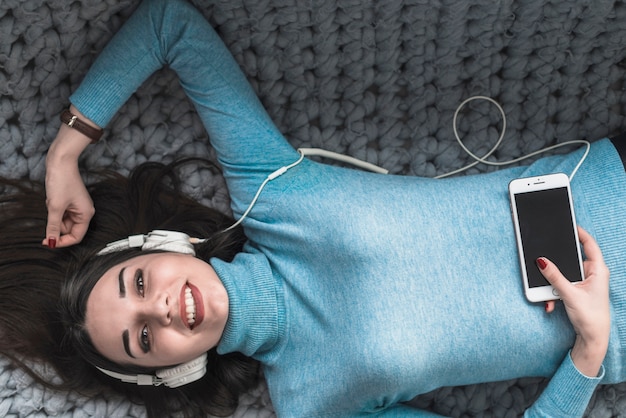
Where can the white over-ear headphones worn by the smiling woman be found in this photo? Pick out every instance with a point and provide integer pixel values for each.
(166, 241)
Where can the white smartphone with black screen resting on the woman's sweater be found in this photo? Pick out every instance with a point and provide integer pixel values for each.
(545, 226)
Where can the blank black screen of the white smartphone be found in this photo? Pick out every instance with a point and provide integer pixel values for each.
(547, 230)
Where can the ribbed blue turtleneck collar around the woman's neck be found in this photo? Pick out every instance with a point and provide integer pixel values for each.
(256, 308)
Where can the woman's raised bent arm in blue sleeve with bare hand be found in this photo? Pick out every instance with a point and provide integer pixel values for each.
(160, 33)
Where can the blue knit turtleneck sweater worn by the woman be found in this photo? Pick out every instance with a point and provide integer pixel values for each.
(360, 291)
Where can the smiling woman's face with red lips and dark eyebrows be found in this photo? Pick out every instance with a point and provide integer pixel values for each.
(157, 310)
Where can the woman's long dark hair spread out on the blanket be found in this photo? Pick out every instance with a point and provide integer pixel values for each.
(150, 198)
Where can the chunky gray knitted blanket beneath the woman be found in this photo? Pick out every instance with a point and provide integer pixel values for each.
(378, 80)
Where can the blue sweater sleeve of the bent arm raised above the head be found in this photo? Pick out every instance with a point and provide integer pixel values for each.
(174, 33)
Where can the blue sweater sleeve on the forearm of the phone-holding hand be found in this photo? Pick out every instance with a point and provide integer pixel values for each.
(567, 394)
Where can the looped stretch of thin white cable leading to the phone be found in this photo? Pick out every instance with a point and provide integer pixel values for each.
(499, 141)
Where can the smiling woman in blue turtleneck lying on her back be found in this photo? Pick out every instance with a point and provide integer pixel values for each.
(356, 291)
